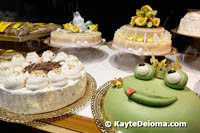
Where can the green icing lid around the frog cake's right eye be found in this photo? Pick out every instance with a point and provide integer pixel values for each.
(181, 84)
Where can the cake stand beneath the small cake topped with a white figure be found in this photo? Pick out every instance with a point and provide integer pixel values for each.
(86, 54)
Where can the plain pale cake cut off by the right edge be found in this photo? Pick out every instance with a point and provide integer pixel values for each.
(189, 24)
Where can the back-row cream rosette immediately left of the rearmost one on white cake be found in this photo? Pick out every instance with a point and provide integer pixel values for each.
(33, 58)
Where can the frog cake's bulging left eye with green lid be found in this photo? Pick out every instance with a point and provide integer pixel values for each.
(144, 71)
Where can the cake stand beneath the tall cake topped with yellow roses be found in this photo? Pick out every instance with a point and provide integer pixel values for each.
(126, 59)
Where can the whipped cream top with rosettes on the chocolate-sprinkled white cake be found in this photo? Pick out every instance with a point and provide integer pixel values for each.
(70, 72)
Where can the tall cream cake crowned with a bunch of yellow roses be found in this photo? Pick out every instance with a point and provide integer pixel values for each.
(143, 36)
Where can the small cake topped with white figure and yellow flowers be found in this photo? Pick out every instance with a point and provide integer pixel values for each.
(77, 33)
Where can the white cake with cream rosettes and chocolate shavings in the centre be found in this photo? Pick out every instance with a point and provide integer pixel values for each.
(37, 84)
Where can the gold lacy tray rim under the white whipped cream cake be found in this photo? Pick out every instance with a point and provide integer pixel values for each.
(28, 119)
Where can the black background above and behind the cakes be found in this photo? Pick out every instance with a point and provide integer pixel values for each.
(110, 15)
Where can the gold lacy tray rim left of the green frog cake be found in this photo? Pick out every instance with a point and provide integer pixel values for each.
(97, 108)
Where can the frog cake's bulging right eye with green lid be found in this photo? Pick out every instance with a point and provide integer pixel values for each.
(176, 79)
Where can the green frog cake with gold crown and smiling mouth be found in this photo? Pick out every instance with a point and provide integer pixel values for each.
(153, 100)
